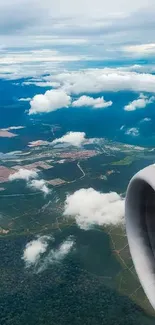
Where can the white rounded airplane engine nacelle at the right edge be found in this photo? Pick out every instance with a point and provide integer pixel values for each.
(140, 227)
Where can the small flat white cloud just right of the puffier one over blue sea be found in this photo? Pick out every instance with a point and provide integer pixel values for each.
(90, 101)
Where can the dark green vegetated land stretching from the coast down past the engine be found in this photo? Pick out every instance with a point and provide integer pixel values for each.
(96, 283)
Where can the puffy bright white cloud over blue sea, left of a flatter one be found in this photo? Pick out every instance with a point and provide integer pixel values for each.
(49, 102)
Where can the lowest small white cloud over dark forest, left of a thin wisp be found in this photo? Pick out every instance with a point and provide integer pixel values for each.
(34, 249)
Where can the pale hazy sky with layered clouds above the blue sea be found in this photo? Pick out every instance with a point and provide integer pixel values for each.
(58, 34)
